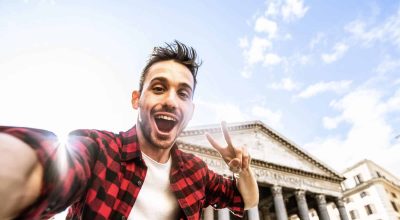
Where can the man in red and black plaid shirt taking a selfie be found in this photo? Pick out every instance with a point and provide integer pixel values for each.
(137, 174)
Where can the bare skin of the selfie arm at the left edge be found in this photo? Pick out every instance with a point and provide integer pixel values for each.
(21, 176)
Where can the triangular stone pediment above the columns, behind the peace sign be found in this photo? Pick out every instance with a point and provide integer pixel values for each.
(263, 143)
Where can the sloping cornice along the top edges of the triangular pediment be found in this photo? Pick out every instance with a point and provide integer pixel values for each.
(258, 125)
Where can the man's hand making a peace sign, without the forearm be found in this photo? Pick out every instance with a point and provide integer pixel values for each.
(236, 158)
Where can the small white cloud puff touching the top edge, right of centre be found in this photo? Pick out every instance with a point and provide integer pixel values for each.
(293, 9)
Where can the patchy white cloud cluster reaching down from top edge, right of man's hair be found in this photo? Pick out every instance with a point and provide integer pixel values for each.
(258, 49)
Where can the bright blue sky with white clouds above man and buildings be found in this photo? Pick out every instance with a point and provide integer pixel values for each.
(325, 74)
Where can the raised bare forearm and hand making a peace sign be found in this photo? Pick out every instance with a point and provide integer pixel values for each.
(238, 161)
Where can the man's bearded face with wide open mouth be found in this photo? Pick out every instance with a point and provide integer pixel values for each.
(165, 104)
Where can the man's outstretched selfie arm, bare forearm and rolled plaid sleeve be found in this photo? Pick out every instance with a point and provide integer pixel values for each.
(41, 175)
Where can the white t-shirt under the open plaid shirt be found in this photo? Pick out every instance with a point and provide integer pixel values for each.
(155, 199)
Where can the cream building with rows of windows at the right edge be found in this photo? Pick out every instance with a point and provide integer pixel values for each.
(371, 192)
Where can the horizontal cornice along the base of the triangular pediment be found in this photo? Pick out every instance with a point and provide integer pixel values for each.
(259, 163)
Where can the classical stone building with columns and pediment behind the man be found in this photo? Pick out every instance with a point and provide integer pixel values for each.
(292, 183)
